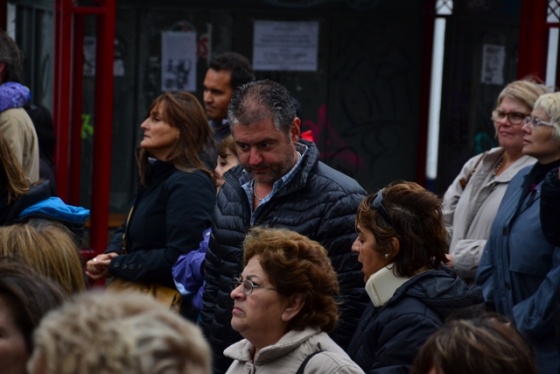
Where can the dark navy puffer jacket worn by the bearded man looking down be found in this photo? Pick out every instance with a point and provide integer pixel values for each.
(320, 203)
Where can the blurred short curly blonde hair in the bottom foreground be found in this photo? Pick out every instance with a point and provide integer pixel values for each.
(104, 332)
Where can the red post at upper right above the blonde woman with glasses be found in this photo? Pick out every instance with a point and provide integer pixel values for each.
(533, 39)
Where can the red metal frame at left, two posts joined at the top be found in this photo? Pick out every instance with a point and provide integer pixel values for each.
(69, 44)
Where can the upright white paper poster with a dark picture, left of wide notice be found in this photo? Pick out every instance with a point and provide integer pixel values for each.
(178, 61)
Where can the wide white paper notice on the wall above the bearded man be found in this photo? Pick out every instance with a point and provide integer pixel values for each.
(288, 46)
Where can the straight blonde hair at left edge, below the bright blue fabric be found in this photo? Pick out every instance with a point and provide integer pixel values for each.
(48, 249)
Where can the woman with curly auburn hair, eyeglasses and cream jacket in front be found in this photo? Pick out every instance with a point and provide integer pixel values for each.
(284, 307)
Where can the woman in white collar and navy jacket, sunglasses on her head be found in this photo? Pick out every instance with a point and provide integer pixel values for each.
(401, 244)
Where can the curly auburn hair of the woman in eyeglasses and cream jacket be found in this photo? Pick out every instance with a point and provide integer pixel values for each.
(295, 265)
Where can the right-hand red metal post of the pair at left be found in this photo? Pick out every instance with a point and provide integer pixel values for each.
(103, 125)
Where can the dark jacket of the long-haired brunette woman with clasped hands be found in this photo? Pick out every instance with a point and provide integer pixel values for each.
(171, 212)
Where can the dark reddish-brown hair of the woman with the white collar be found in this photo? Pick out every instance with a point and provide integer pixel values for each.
(418, 225)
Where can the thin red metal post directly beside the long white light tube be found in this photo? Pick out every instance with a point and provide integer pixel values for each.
(429, 19)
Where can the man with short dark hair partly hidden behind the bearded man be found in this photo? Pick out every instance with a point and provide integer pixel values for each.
(226, 72)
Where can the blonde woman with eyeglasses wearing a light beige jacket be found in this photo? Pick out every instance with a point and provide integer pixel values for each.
(471, 201)
